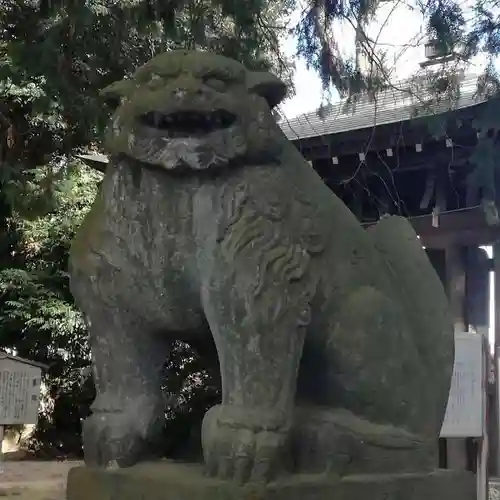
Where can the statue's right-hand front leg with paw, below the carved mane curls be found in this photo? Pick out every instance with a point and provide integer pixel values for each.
(259, 342)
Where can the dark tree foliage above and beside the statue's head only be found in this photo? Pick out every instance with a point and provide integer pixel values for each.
(55, 56)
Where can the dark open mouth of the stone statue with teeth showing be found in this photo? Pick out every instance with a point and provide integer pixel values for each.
(184, 123)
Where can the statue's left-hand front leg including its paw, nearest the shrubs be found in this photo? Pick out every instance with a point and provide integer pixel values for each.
(127, 356)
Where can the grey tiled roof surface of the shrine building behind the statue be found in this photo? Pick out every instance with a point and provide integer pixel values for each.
(390, 106)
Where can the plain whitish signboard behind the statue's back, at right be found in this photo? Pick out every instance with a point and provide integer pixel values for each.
(465, 411)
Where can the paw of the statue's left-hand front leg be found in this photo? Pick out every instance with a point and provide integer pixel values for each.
(122, 436)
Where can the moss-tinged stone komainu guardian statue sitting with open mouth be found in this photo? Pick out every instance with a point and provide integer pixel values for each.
(334, 343)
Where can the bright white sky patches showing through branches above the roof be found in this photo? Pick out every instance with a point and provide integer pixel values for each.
(399, 30)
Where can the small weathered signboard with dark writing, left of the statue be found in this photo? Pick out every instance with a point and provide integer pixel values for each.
(19, 391)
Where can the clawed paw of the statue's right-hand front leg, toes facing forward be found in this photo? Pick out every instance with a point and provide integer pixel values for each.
(244, 444)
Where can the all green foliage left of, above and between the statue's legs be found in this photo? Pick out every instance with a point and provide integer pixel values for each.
(55, 57)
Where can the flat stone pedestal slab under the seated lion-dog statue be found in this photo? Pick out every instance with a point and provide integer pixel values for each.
(172, 481)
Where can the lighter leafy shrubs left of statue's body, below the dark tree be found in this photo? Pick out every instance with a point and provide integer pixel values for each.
(37, 318)
